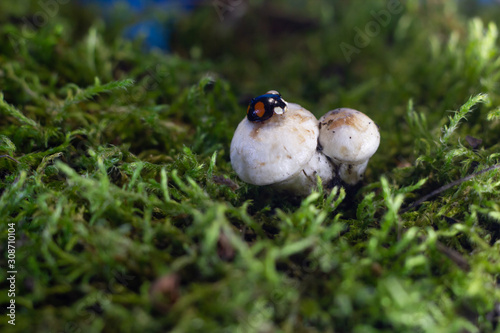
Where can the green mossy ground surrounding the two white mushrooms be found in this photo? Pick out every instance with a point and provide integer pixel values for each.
(129, 218)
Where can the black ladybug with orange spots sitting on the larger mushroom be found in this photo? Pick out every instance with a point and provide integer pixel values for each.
(263, 107)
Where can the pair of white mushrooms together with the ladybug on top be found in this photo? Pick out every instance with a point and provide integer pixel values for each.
(282, 144)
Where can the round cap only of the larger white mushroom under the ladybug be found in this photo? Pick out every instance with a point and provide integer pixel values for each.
(275, 149)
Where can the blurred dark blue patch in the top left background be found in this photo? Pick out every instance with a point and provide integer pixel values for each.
(155, 33)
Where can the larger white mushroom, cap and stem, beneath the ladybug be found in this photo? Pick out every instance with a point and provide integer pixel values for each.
(280, 150)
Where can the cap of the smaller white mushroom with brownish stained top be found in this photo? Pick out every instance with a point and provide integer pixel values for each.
(348, 135)
